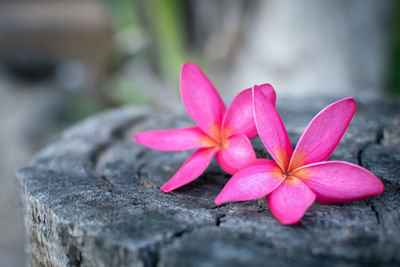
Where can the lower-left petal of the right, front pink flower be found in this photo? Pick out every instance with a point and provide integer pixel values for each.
(255, 181)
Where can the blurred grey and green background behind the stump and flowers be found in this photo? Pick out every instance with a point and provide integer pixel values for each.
(63, 60)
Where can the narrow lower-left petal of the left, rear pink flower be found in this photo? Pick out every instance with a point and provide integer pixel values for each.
(193, 167)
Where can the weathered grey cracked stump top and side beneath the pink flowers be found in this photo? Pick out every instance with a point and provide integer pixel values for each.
(92, 198)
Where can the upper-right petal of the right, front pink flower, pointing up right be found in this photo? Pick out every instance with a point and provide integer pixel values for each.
(323, 133)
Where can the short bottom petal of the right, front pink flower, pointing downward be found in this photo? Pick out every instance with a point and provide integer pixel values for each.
(290, 200)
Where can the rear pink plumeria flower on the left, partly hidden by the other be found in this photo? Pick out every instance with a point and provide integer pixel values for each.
(220, 132)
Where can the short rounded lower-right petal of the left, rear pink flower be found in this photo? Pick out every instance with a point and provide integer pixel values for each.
(237, 154)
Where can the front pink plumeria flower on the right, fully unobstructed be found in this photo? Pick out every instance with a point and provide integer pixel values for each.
(295, 179)
